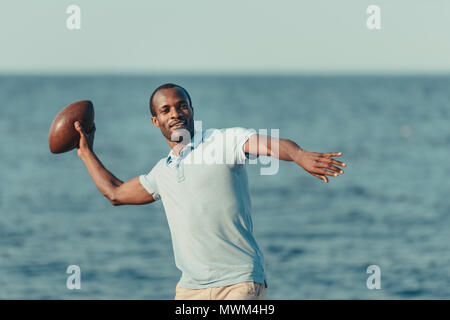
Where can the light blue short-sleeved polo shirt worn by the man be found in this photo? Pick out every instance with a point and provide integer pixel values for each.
(206, 198)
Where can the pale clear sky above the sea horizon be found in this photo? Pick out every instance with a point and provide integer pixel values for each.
(232, 36)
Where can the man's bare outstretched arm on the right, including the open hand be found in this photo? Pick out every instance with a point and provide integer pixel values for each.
(318, 164)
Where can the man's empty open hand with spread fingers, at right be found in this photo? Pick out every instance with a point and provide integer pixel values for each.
(320, 165)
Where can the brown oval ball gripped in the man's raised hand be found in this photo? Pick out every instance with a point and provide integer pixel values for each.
(62, 136)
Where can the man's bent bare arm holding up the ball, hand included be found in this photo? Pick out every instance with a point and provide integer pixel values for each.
(115, 190)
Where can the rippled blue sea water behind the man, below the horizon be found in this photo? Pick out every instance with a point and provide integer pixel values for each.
(391, 208)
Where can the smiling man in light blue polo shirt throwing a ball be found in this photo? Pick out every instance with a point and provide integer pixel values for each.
(207, 204)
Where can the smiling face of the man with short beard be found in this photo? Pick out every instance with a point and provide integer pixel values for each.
(173, 112)
